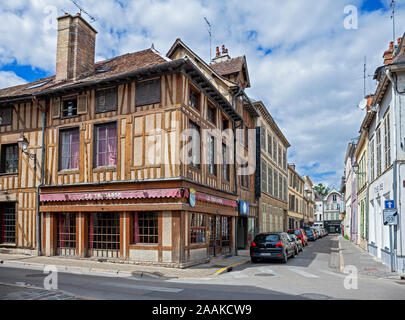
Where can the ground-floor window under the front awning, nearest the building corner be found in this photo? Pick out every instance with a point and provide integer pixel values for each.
(146, 228)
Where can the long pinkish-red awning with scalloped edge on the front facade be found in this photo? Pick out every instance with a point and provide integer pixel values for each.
(113, 195)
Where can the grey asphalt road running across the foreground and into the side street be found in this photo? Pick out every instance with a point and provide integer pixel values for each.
(313, 274)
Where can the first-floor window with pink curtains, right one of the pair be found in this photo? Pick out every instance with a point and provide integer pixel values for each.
(106, 145)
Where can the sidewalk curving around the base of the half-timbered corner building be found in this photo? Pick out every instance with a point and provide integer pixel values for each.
(216, 266)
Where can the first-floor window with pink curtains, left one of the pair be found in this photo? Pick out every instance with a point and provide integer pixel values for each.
(69, 149)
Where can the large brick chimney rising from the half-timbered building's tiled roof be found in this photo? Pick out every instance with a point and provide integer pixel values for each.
(76, 48)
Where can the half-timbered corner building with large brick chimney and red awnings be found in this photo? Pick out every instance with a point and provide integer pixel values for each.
(95, 162)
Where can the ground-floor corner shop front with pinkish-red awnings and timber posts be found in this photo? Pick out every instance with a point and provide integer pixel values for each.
(148, 226)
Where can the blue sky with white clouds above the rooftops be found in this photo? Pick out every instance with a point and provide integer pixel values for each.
(304, 63)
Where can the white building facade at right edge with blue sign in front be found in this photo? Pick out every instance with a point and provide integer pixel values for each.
(386, 169)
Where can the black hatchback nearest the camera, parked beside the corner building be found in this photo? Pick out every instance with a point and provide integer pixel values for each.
(276, 245)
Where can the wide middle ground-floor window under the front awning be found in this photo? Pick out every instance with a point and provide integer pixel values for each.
(104, 232)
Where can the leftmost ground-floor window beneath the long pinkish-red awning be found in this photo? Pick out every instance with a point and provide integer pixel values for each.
(66, 233)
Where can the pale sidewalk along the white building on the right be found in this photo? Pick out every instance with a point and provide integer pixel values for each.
(366, 264)
